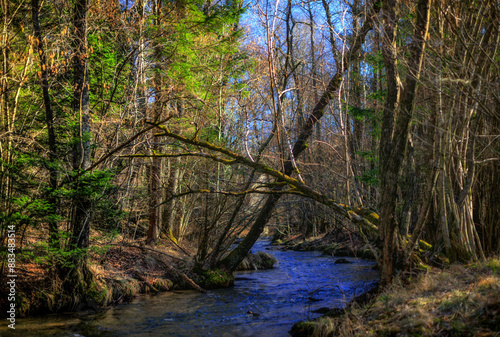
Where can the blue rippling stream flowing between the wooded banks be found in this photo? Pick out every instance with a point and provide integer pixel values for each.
(301, 283)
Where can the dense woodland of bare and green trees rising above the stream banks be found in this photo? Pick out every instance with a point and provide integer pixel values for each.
(200, 122)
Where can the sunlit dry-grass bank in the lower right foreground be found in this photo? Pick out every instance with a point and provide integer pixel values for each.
(459, 300)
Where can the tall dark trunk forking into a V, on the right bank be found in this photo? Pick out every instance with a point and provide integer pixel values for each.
(396, 126)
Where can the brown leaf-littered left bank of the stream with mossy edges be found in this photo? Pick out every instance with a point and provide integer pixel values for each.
(120, 272)
